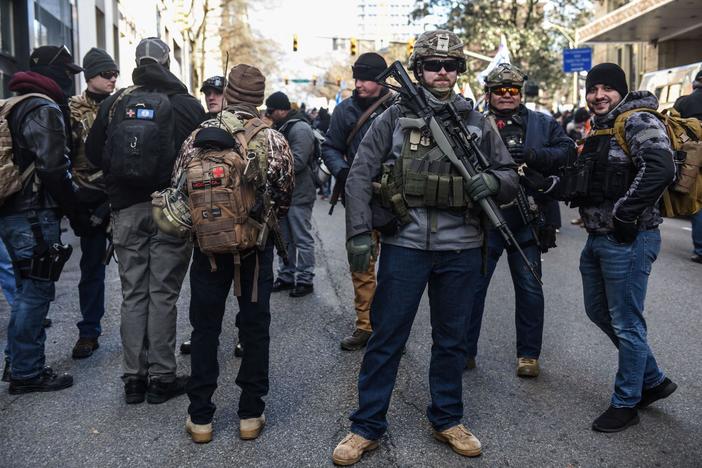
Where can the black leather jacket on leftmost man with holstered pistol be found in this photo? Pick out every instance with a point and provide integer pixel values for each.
(39, 136)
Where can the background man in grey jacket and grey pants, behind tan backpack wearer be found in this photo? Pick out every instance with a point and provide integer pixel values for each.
(296, 227)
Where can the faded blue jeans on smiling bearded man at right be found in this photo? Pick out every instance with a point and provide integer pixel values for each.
(615, 277)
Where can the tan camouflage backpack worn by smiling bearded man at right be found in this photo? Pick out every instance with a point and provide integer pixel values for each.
(684, 196)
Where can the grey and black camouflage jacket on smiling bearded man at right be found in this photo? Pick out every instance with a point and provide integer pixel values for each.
(653, 161)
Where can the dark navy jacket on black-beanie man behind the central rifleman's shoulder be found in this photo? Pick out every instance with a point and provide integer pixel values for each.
(336, 154)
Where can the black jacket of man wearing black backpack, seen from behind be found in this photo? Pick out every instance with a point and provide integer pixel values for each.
(188, 115)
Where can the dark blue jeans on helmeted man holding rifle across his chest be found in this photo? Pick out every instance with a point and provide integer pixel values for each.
(403, 275)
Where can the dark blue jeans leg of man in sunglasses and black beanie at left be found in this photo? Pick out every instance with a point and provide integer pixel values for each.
(91, 288)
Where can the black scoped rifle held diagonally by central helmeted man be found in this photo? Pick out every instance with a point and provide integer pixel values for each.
(455, 141)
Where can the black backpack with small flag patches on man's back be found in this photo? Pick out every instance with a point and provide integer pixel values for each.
(140, 136)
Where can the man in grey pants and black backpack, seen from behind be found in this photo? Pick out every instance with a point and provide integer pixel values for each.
(134, 140)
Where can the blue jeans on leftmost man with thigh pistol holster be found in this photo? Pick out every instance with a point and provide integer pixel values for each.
(25, 332)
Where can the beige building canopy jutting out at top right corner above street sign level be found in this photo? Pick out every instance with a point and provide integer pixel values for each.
(645, 21)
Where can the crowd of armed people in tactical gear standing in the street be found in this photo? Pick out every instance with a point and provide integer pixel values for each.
(146, 171)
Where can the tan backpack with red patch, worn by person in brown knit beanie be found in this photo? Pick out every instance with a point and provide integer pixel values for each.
(222, 188)
